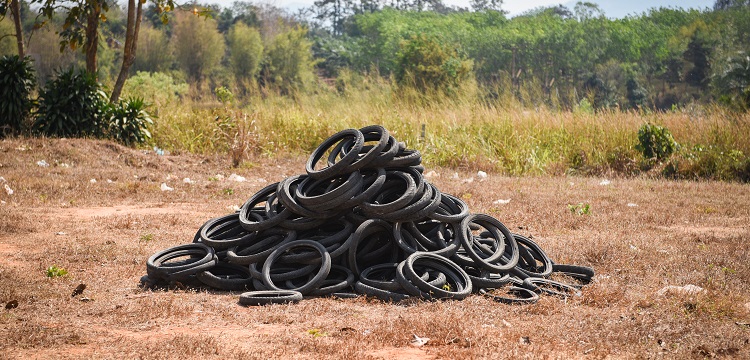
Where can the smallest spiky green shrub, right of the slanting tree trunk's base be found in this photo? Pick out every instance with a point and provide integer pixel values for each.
(128, 122)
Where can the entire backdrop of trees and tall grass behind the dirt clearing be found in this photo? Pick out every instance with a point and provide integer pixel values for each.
(553, 90)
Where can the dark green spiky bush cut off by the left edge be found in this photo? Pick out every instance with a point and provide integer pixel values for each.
(17, 80)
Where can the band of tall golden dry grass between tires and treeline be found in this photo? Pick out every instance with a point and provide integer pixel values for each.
(463, 132)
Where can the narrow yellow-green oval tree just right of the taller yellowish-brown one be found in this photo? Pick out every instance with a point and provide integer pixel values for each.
(245, 51)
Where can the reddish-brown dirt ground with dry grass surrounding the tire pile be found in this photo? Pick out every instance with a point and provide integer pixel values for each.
(98, 211)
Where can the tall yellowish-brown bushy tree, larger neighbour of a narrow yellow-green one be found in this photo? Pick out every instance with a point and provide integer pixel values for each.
(198, 45)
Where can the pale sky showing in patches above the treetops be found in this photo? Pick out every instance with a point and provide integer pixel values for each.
(612, 8)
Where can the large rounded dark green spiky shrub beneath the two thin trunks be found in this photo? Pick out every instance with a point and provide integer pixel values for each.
(73, 104)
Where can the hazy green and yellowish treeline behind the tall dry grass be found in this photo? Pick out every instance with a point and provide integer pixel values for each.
(558, 57)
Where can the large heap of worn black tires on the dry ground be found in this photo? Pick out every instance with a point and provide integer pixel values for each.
(363, 220)
